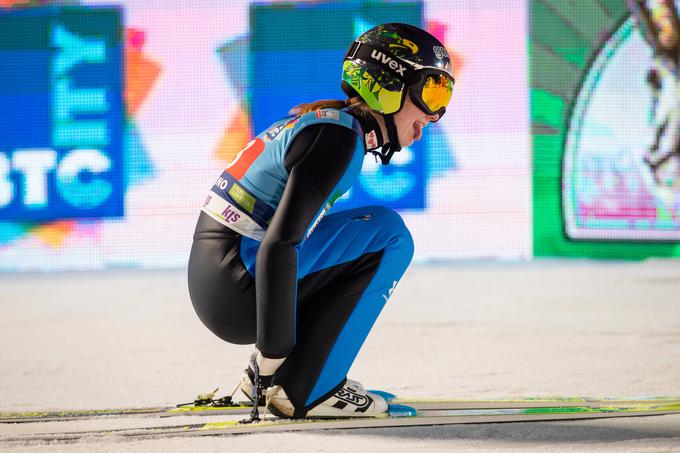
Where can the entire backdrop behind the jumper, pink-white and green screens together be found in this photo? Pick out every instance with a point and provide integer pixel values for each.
(117, 116)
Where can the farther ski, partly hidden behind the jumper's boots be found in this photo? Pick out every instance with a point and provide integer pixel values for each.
(241, 408)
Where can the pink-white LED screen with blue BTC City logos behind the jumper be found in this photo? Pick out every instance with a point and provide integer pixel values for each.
(115, 122)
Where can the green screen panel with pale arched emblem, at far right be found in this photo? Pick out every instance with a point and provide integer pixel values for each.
(605, 116)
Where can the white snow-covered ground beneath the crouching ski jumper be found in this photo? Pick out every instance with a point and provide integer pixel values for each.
(464, 330)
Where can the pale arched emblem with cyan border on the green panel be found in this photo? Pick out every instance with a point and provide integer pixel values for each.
(612, 189)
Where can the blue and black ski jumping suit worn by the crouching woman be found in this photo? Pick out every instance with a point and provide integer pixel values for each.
(268, 266)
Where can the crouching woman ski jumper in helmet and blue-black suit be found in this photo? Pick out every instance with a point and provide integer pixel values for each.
(269, 267)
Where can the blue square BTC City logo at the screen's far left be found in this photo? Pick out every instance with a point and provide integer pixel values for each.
(61, 114)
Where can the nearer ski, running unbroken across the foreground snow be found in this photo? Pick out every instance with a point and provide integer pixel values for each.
(399, 416)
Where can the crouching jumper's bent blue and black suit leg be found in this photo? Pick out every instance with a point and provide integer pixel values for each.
(338, 304)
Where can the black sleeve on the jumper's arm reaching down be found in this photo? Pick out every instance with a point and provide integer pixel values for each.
(316, 160)
